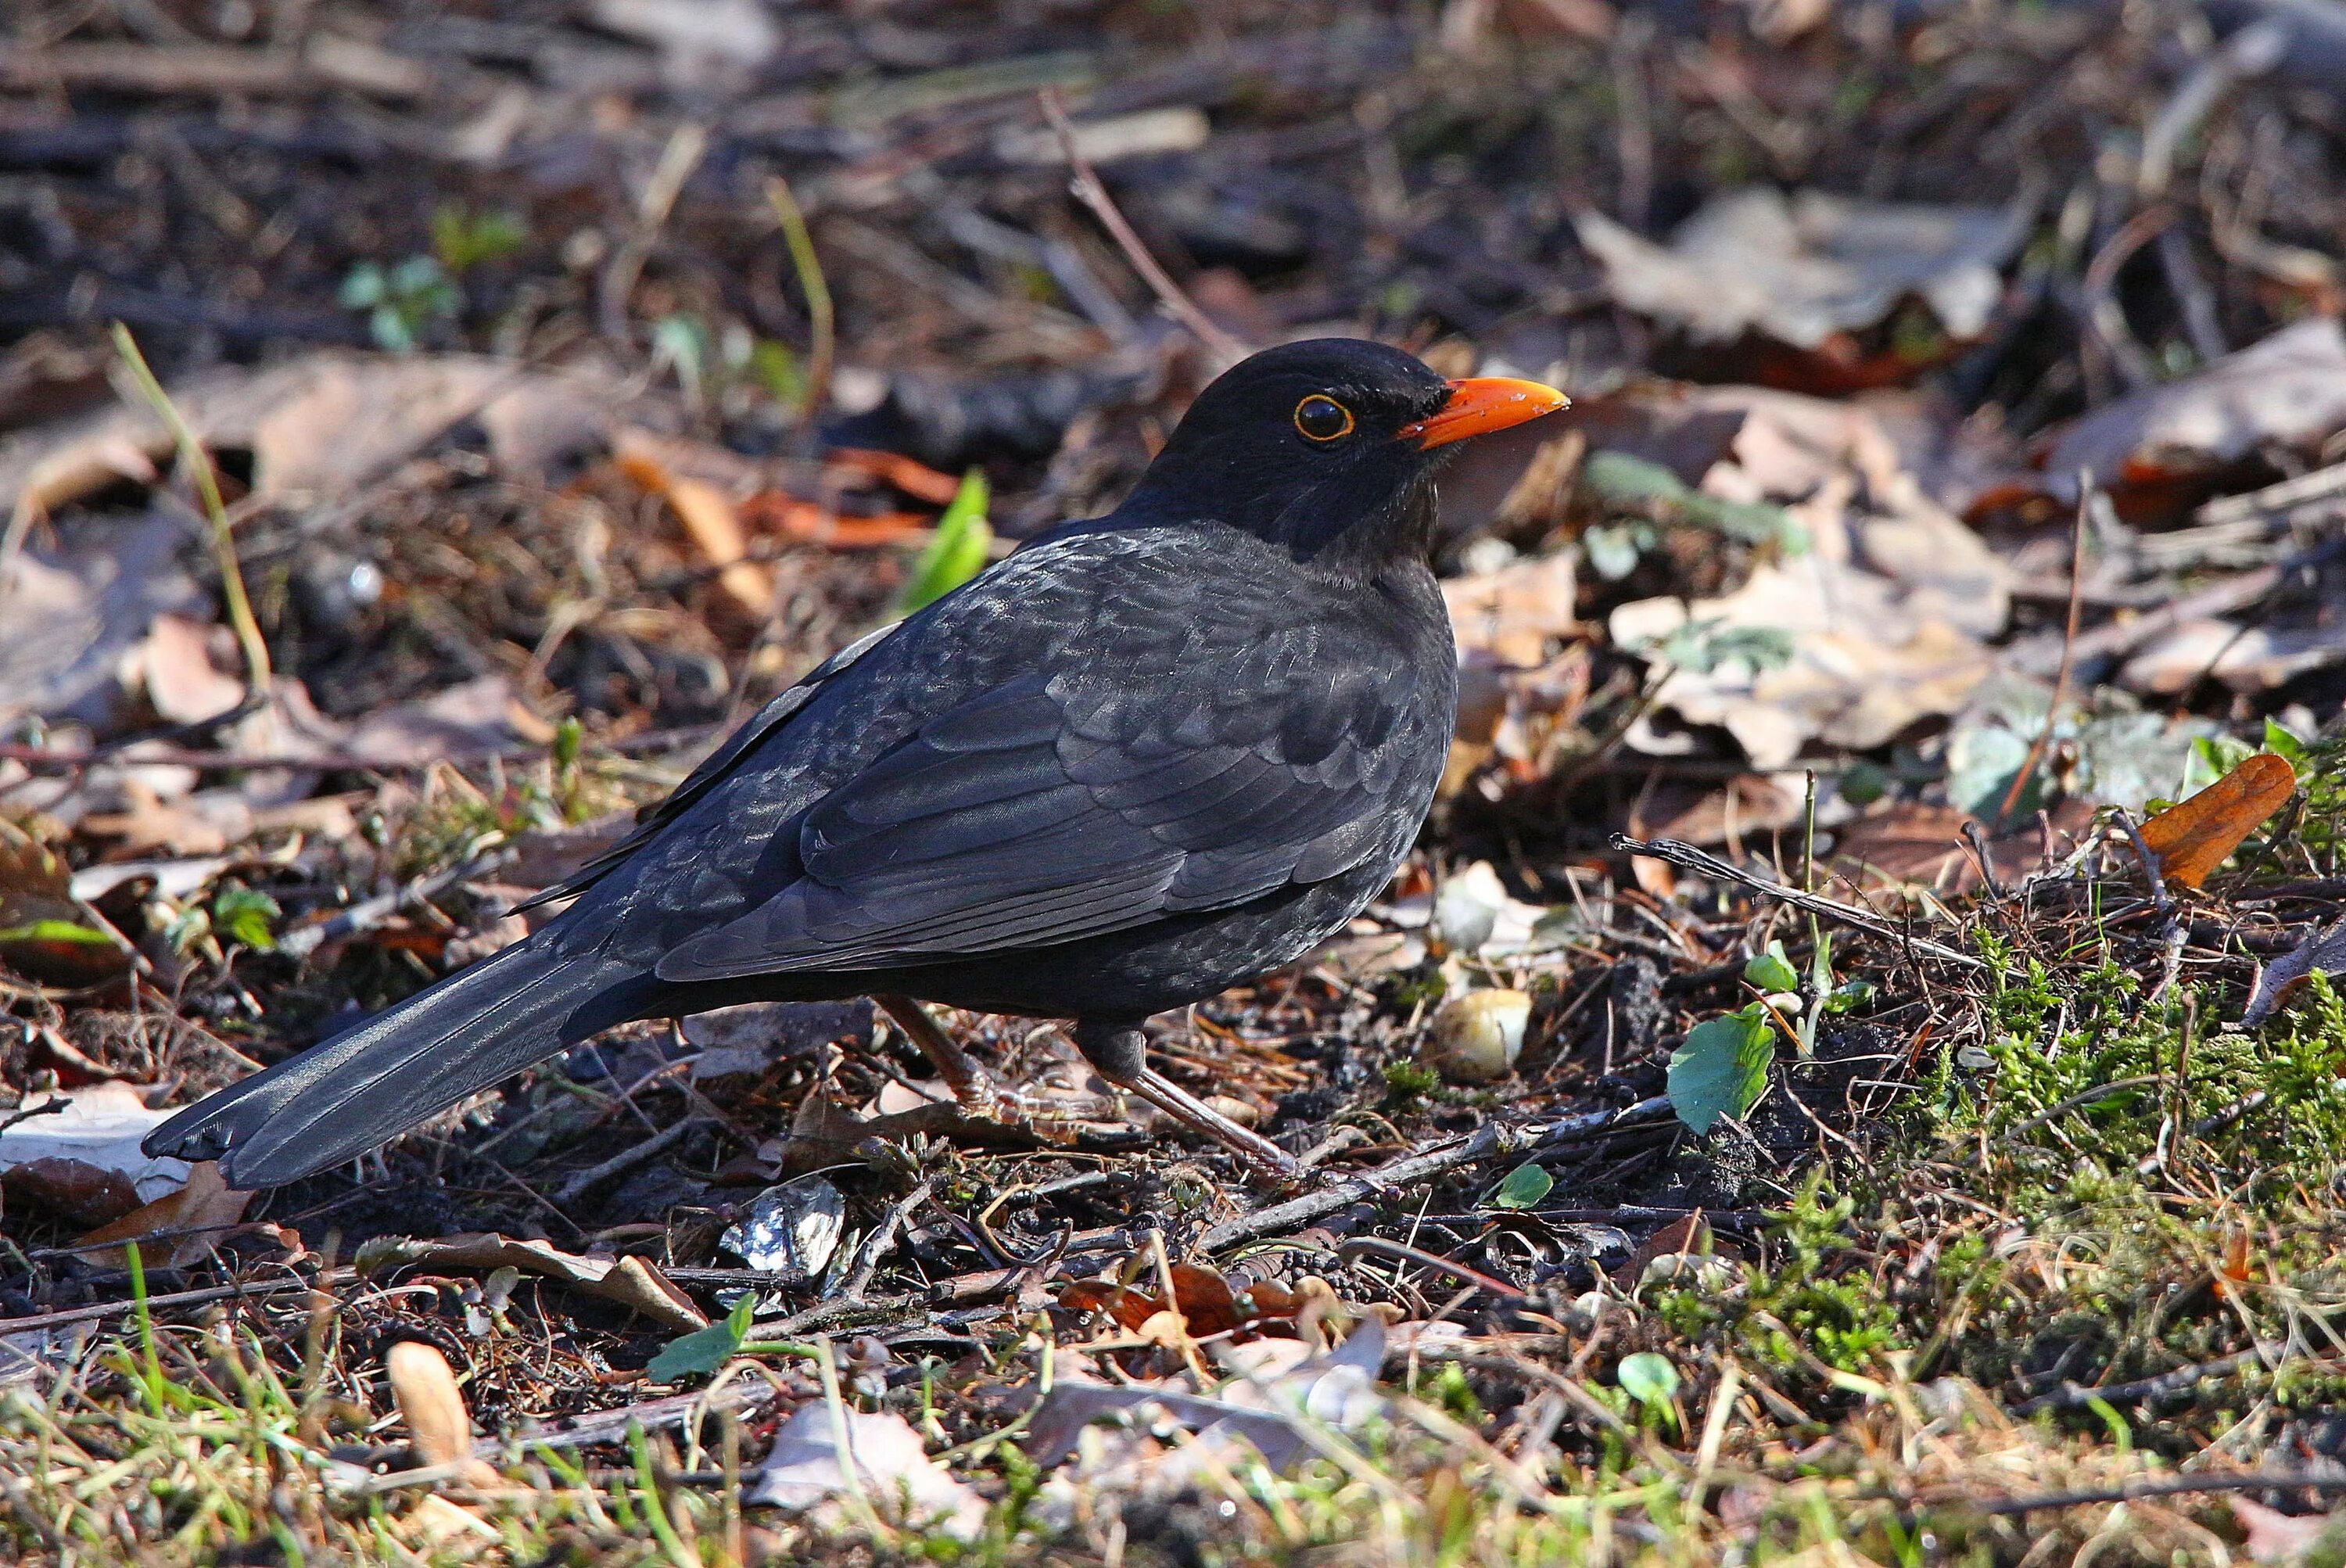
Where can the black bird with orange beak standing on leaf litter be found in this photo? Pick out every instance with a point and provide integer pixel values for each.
(1144, 759)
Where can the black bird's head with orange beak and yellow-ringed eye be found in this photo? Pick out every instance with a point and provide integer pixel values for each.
(1329, 447)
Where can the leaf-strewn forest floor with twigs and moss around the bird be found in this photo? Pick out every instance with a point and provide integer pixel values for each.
(1810, 1097)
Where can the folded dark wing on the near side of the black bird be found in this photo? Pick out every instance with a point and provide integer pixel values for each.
(1174, 778)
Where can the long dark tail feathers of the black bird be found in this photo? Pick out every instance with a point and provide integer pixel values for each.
(362, 1088)
